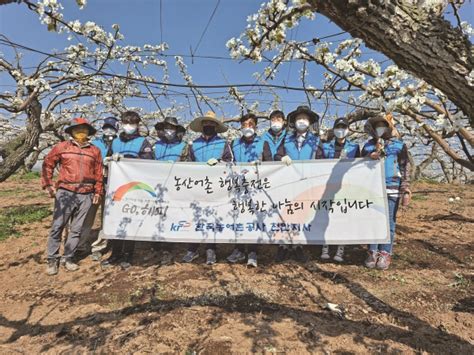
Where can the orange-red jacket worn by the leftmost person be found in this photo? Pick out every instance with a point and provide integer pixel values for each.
(80, 168)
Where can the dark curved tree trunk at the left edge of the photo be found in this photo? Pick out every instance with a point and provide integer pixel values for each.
(29, 139)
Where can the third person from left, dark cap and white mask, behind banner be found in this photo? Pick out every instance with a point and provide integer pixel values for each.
(129, 144)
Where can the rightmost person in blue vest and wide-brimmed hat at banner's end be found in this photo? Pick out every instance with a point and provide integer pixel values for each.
(385, 144)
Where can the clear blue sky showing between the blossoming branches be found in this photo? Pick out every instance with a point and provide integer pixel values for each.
(181, 26)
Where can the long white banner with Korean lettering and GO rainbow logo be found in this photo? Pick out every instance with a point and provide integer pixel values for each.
(308, 202)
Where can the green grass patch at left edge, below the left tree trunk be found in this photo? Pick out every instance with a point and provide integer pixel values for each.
(12, 217)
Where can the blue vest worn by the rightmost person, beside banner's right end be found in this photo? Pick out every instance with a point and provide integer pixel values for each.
(393, 148)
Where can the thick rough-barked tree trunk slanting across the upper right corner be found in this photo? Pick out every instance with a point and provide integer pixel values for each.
(424, 44)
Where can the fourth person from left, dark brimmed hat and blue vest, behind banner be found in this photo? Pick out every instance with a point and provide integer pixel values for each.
(171, 148)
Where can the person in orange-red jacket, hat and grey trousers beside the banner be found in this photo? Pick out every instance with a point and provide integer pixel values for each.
(79, 185)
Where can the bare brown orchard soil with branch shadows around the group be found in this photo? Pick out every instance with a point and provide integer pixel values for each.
(424, 303)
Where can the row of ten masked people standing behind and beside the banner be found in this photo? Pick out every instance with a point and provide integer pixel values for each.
(82, 161)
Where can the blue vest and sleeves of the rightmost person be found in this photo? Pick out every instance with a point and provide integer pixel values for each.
(396, 162)
